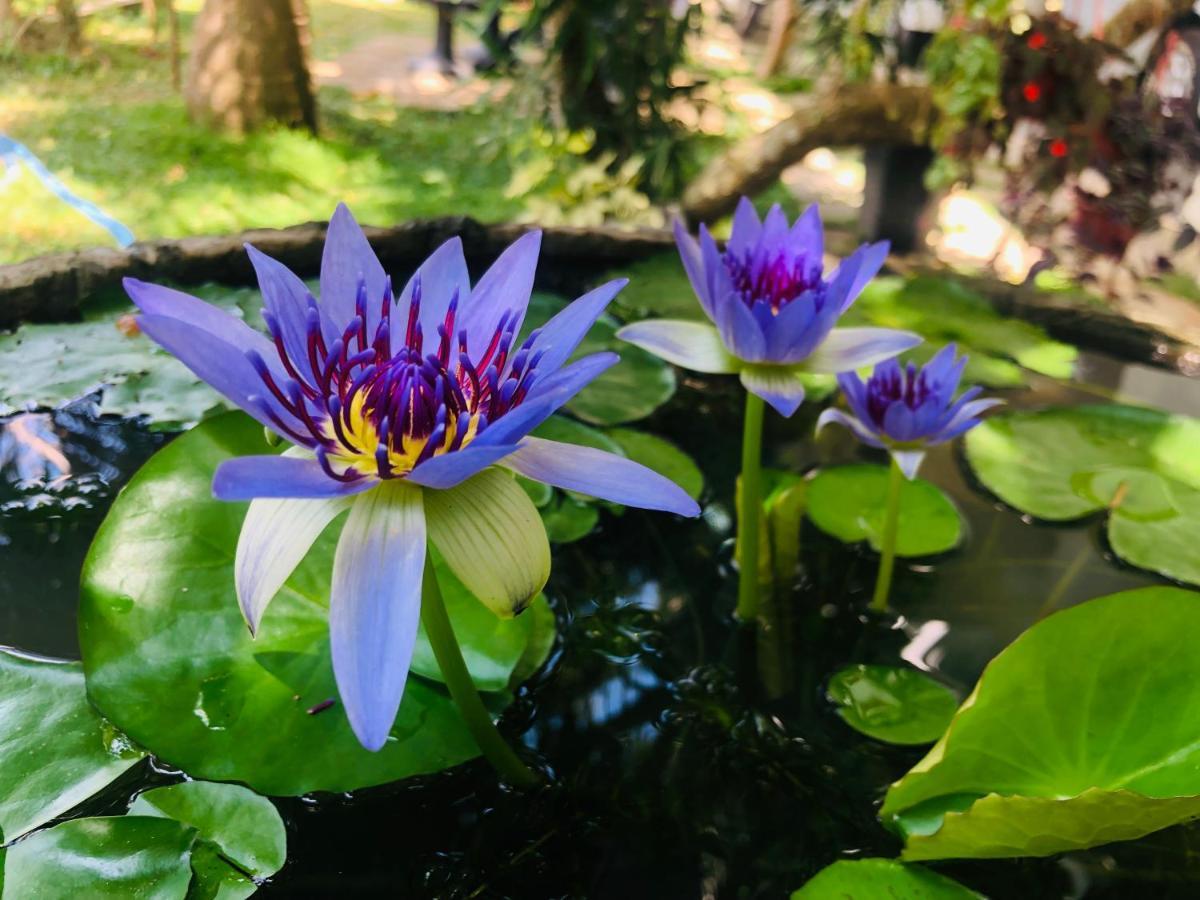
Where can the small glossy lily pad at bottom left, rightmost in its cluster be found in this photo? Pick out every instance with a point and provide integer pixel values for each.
(243, 832)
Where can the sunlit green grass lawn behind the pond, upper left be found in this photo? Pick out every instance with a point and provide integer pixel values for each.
(111, 127)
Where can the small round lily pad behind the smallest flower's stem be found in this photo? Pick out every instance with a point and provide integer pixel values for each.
(850, 503)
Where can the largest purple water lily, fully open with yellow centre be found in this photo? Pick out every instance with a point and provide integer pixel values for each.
(400, 410)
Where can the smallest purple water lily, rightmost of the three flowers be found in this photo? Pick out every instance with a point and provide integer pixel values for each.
(905, 411)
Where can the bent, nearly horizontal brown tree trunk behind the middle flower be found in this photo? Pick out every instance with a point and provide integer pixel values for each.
(849, 117)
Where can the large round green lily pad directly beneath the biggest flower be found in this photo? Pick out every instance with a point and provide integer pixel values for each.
(159, 620)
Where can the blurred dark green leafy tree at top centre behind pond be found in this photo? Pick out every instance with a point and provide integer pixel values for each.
(611, 67)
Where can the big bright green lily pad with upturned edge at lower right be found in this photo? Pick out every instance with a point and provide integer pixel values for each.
(1082, 733)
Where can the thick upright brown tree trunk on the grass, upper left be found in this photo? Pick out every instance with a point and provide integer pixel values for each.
(249, 65)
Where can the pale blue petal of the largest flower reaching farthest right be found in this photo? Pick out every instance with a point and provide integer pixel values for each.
(602, 475)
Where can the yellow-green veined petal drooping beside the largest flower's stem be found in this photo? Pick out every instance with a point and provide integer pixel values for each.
(491, 537)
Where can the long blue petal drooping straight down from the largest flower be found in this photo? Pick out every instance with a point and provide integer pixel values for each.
(375, 607)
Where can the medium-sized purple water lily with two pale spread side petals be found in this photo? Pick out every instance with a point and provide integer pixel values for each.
(775, 311)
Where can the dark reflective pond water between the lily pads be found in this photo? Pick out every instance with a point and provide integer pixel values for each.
(692, 758)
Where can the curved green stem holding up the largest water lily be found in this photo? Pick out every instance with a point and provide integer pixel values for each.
(458, 680)
